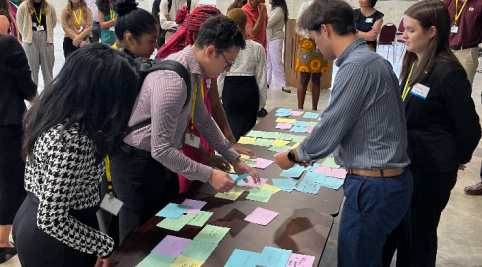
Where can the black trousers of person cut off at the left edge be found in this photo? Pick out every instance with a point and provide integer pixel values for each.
(12, 169)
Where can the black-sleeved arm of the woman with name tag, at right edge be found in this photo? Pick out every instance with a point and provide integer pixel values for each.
(461, 109)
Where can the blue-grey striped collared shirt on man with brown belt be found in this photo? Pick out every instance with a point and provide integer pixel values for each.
(364, 123)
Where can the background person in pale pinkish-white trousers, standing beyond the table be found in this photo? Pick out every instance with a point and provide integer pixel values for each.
(277, 18)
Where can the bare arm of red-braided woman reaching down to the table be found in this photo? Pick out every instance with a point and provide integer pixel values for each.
(220, 118)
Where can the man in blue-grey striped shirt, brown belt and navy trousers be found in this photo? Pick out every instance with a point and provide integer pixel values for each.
(364, 125)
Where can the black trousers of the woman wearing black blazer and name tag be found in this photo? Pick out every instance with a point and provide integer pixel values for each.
(415, 238)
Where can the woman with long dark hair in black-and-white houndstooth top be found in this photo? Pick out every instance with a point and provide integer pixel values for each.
(69, 130)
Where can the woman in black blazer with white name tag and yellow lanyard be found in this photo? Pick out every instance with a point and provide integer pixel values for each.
(442, 125)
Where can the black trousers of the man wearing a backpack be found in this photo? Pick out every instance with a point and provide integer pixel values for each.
(144, 185)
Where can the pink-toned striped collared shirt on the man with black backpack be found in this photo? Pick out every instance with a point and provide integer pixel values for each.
(162, 97)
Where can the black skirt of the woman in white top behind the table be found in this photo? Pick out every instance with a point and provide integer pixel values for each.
(241, 103)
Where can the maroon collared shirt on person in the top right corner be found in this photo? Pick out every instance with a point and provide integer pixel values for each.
(469, 22)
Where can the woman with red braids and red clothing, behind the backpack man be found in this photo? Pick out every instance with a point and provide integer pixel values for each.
(187, 35)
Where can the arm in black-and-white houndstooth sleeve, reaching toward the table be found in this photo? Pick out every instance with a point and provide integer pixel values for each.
(61, 181)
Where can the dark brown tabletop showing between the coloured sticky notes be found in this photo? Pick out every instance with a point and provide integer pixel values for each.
(303, 224)
